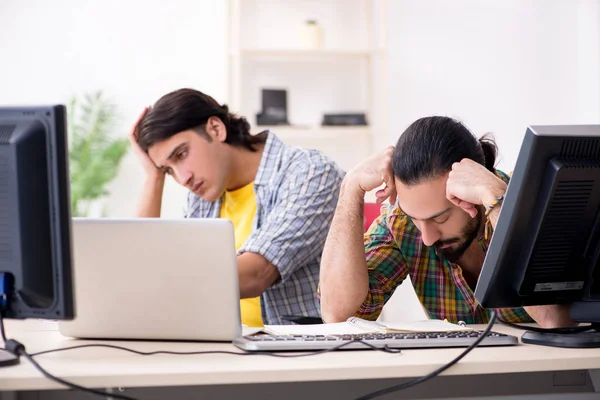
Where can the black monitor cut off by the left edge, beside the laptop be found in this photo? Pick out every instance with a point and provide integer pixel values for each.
(35, 218)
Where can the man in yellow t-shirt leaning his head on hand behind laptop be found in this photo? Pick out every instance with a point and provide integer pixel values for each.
(280, 199)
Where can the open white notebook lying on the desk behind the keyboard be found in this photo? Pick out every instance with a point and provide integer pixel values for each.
(355, 325)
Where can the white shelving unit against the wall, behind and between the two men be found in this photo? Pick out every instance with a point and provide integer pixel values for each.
(346, 74)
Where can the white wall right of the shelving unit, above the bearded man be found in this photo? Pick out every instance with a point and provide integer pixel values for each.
(498, 65)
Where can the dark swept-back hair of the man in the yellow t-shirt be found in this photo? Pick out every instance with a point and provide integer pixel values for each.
(186, 109)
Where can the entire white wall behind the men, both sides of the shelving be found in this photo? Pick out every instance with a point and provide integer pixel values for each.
(497, 65)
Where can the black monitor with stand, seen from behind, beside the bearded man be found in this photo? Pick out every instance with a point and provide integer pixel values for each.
(546, 246)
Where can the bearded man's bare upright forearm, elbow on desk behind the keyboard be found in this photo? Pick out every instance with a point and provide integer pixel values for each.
(344, 280)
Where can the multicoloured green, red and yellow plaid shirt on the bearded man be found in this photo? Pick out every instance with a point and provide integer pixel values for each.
(394, 250)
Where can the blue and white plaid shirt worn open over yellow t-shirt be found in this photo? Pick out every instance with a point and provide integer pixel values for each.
(296, 195)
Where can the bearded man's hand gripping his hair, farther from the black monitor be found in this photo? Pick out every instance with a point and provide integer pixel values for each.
(372, 173)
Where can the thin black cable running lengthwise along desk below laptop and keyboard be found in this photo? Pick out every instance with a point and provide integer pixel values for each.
(384, 349)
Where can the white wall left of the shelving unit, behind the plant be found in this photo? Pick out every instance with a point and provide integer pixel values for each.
(135, 51)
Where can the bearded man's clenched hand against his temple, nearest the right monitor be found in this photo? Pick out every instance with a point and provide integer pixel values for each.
(471, 184)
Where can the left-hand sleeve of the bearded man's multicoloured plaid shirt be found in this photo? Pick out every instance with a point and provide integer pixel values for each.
(385, 263)
